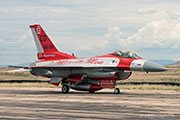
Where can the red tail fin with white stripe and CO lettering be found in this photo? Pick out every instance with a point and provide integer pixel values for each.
(46, 49)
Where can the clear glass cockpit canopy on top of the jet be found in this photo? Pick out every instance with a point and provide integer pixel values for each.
(125, 54)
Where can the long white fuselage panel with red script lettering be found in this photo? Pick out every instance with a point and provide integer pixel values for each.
(81, 62)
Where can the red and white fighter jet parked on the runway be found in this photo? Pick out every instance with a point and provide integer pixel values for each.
(88, 73)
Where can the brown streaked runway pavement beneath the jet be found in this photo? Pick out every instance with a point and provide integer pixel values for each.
(49, 103)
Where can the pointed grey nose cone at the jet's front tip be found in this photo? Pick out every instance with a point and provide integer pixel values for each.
(153, 67)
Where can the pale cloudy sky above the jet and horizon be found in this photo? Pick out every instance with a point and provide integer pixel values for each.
(91, 27)
